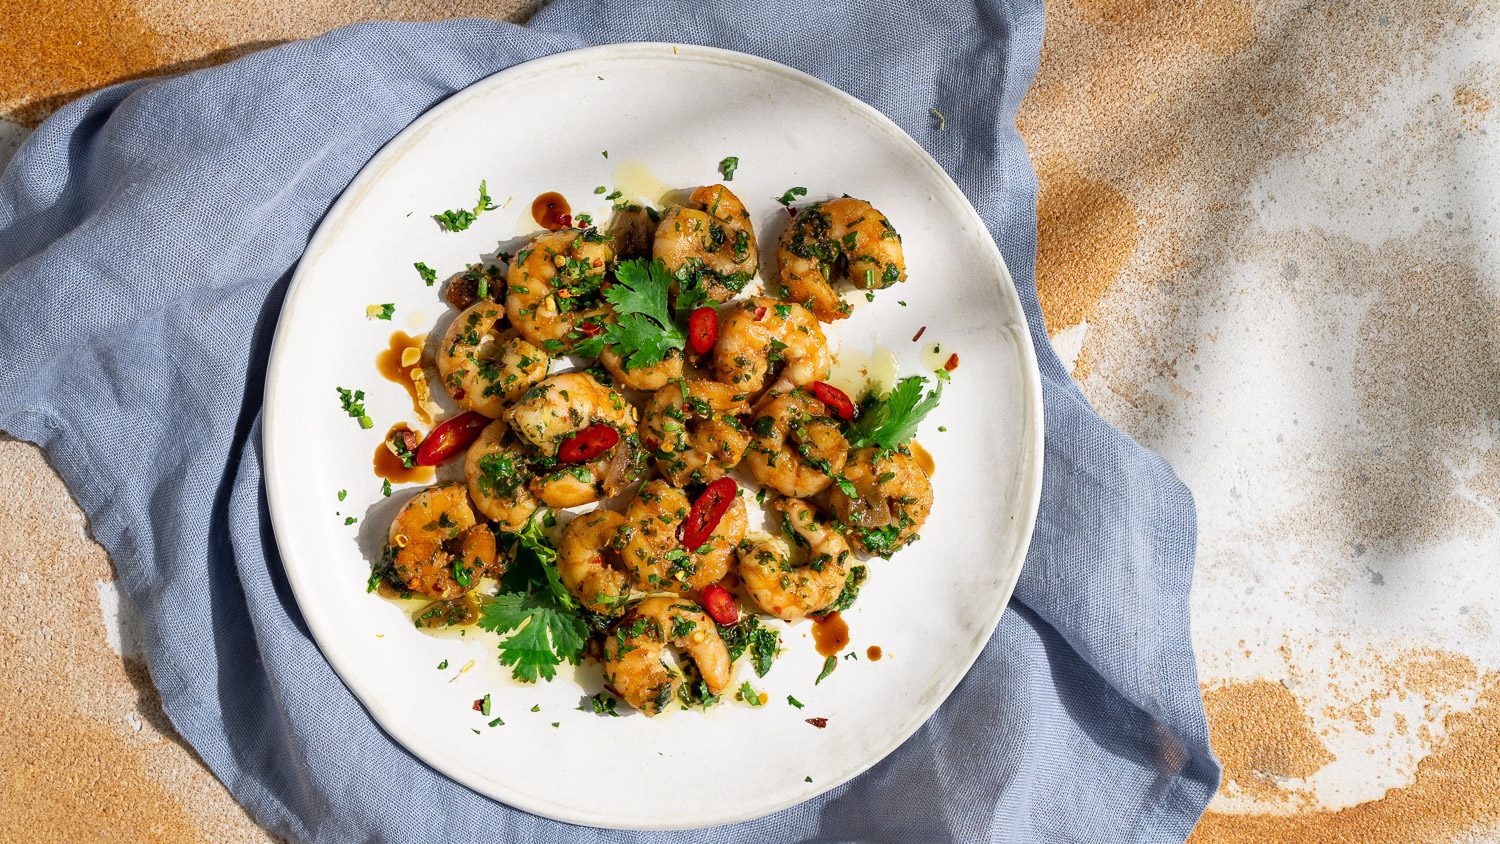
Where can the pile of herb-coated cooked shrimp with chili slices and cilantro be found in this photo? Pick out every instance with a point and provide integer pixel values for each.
(667, 569)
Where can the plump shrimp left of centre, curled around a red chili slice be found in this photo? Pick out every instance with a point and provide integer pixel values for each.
(560, 409)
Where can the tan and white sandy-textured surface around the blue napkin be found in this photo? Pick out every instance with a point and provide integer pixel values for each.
(1268, 247)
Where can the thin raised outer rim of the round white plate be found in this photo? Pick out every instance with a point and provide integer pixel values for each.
(1031, 449)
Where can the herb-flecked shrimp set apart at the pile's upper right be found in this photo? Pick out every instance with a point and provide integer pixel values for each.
(839, 238)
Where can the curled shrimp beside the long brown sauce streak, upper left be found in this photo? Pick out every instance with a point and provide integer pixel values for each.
(484, 365)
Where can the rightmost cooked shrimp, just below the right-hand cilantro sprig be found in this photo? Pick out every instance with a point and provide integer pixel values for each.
(895, 498)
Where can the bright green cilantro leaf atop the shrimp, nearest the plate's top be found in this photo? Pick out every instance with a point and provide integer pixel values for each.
(644, 331)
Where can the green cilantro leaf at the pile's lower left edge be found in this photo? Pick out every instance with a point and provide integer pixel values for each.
(541, 635)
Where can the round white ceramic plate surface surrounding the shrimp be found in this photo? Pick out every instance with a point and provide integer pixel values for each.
(674, 112)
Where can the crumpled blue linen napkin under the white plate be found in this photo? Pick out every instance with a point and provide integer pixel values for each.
(148, 233)
